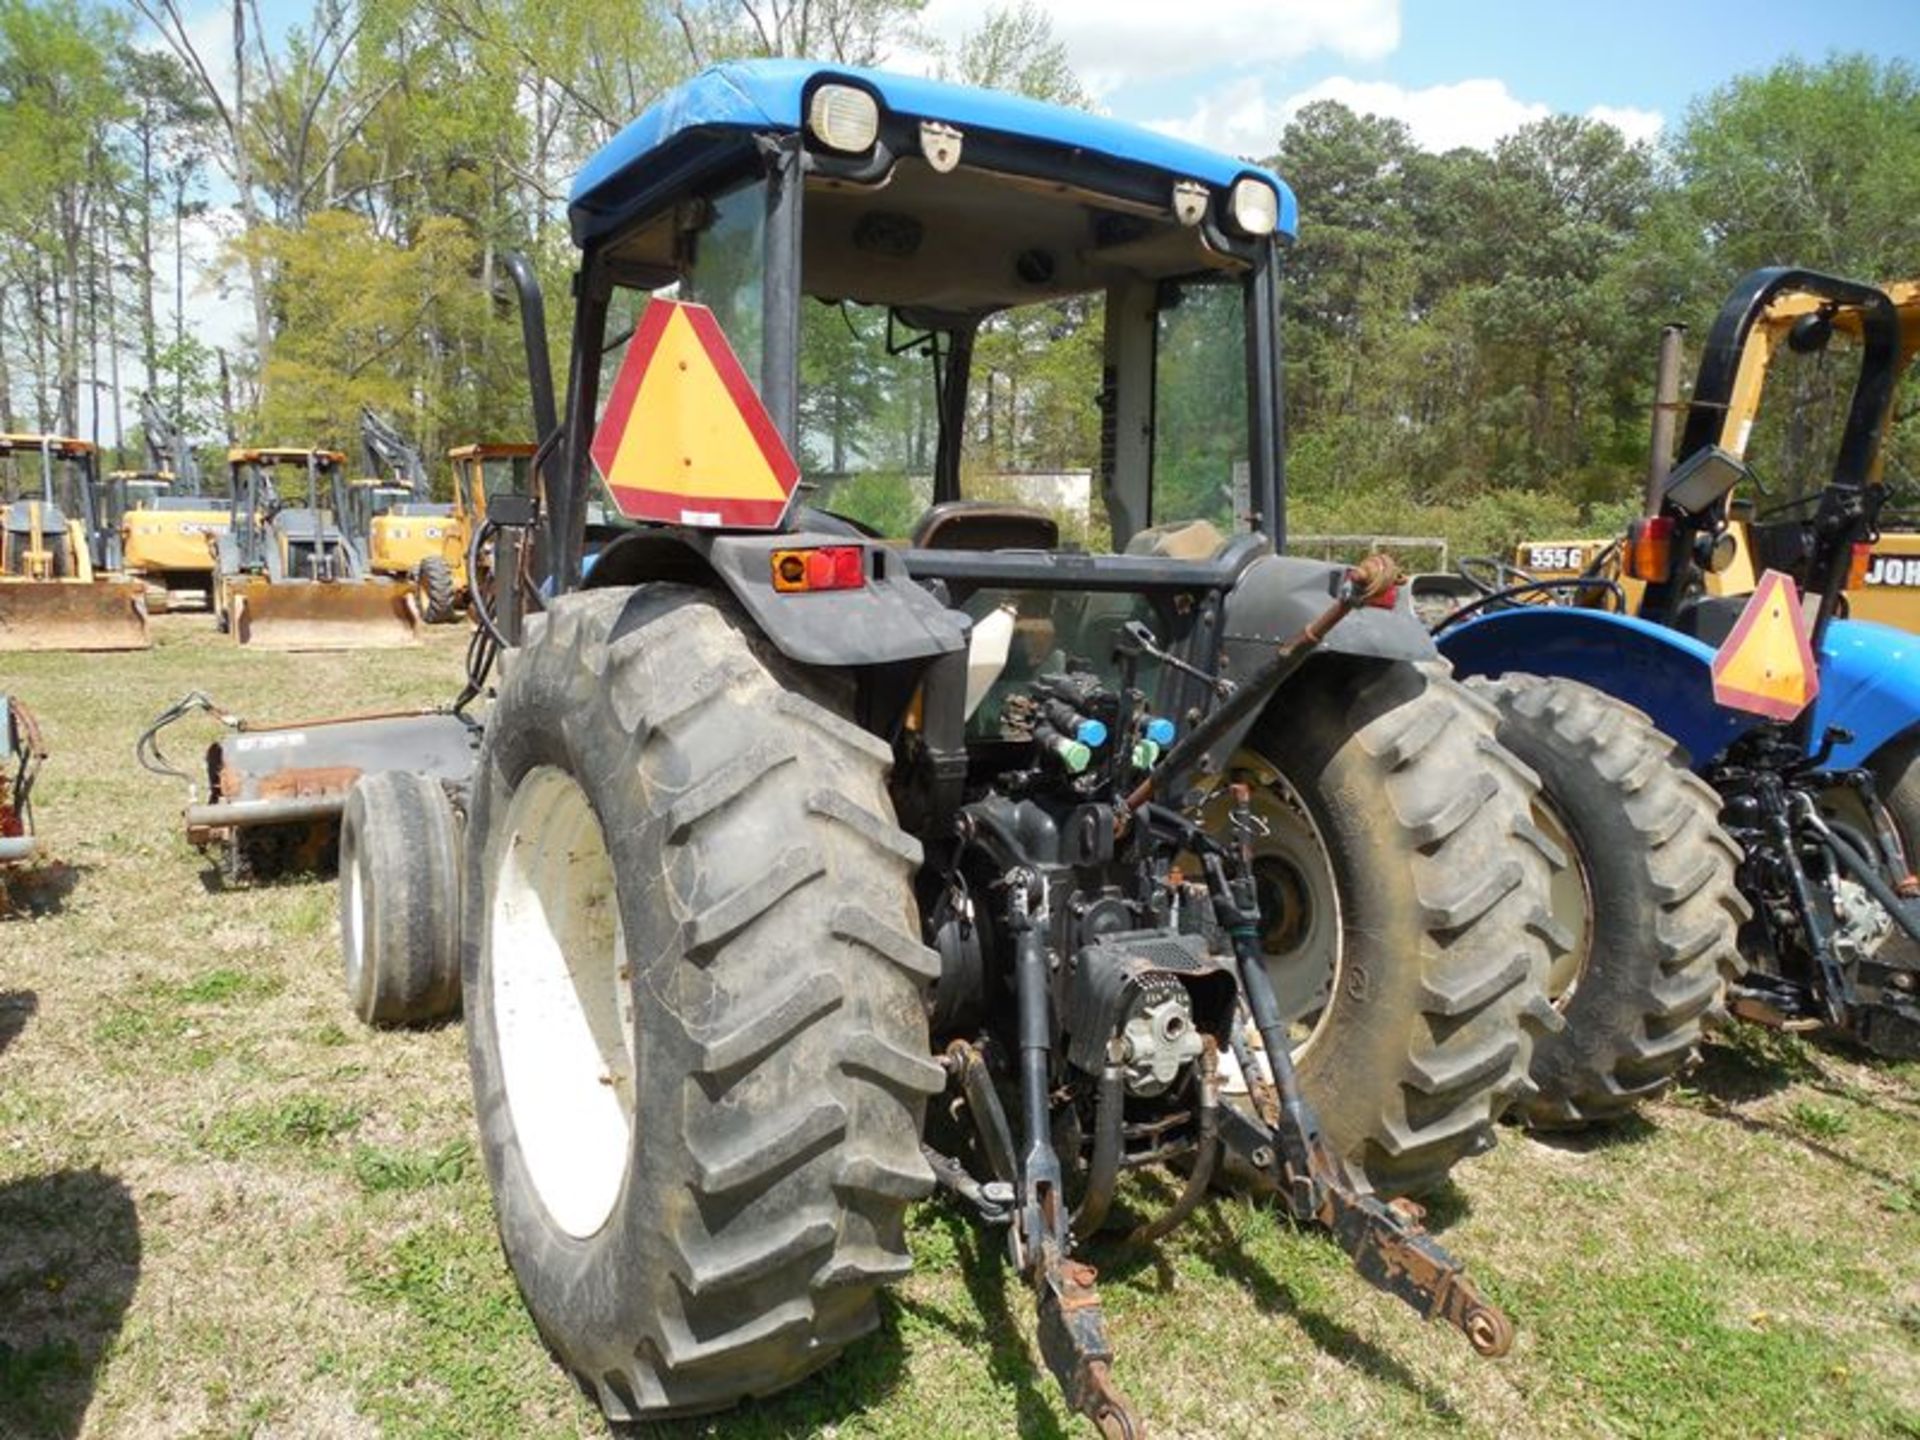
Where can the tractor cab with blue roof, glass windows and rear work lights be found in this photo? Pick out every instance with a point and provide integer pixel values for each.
(953, 306)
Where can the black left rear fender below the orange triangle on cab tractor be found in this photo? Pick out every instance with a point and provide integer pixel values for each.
(886, 621)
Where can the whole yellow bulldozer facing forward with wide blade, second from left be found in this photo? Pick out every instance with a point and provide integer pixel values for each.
(293, 577)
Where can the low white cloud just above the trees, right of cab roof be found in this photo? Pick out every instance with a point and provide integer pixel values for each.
(1245, 120)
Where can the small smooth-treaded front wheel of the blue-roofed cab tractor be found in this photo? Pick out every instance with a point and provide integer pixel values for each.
(400, 901)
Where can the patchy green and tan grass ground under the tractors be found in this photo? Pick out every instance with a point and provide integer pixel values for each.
(228, 1211)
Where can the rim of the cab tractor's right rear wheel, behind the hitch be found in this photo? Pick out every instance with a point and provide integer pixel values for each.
(1299, 898)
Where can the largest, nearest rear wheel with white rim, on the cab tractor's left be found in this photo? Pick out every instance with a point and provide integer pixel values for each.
(684, 859)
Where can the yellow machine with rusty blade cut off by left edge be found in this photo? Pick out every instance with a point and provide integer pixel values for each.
(59, 590)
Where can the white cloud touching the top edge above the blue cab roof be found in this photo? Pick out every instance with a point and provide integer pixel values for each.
(1118, 43)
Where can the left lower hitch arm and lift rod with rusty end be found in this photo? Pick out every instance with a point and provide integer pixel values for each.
(1072, 1324)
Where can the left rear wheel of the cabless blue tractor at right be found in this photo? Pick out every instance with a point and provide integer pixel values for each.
(1654, 901)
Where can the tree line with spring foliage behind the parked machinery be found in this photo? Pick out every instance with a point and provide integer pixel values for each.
(1470, 333)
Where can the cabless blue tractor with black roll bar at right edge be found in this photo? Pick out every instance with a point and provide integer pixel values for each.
(1800, 727)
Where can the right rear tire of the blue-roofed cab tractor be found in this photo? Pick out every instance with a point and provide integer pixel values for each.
(1426, 992)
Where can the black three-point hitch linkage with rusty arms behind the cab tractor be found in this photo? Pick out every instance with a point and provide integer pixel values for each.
(1282, 1140)
